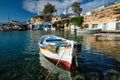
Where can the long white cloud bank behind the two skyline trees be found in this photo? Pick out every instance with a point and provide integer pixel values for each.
(36, 6)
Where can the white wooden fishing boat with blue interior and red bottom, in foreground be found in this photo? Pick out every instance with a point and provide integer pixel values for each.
(57, 50)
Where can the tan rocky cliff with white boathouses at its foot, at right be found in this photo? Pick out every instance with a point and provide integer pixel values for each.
(105, 18)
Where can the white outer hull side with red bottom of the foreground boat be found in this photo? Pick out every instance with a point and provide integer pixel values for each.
(64, 56)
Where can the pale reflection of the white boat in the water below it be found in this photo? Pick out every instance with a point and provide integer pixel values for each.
(53, 72)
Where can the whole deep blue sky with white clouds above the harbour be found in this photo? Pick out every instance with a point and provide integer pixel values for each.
(23, 10)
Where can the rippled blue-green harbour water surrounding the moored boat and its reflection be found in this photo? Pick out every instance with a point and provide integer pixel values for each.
(19, 57)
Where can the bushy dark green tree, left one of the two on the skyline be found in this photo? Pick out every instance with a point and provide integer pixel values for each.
(48, 9)
